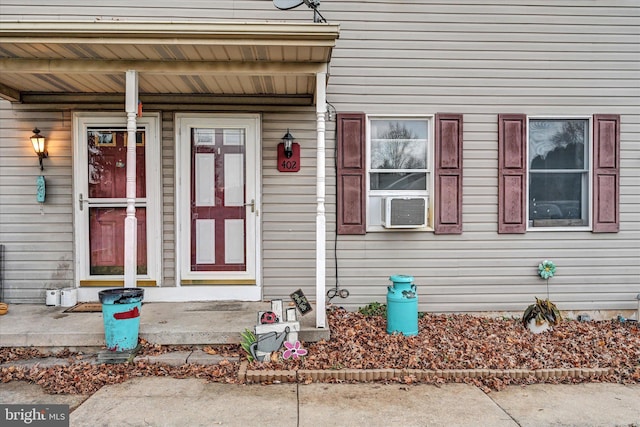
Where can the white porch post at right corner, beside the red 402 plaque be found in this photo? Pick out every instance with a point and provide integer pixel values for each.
(321, 107)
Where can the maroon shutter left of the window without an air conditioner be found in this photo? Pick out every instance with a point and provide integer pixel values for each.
(512, 173)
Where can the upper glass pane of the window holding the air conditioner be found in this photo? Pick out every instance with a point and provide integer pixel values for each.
(399, 144)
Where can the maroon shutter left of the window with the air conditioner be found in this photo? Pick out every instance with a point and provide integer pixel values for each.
(351, 173)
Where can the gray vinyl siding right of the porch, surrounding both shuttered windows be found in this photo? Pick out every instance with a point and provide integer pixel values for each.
(478, 60)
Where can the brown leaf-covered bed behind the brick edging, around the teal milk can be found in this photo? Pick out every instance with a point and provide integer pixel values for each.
(462, 342)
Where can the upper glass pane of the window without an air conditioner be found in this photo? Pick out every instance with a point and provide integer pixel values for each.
(557, 144)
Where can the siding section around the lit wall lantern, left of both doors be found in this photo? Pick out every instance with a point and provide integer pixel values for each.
(38, 239)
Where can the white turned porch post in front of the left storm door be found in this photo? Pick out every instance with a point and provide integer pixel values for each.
(130, 222)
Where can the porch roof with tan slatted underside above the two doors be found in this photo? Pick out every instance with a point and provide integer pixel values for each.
(228, 62)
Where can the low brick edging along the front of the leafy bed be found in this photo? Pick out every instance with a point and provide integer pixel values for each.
(365, 375)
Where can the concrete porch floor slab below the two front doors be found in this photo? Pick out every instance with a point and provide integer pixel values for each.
(166, 323)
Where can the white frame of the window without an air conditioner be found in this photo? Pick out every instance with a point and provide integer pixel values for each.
(589, 180)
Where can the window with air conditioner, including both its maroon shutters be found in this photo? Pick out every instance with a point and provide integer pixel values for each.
(385, 177)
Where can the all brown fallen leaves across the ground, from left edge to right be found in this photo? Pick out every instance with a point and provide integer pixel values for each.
(360, 341)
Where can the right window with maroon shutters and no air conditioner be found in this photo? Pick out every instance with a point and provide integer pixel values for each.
(545, 173)
